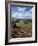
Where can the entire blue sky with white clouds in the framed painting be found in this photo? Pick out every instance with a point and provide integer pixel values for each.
(21, 12)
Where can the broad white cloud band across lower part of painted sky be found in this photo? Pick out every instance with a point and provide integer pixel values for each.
(22, 15)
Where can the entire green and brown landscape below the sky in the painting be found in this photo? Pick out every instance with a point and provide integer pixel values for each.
(21, 28)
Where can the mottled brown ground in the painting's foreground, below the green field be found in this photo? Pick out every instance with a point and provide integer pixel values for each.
(20, 33)
